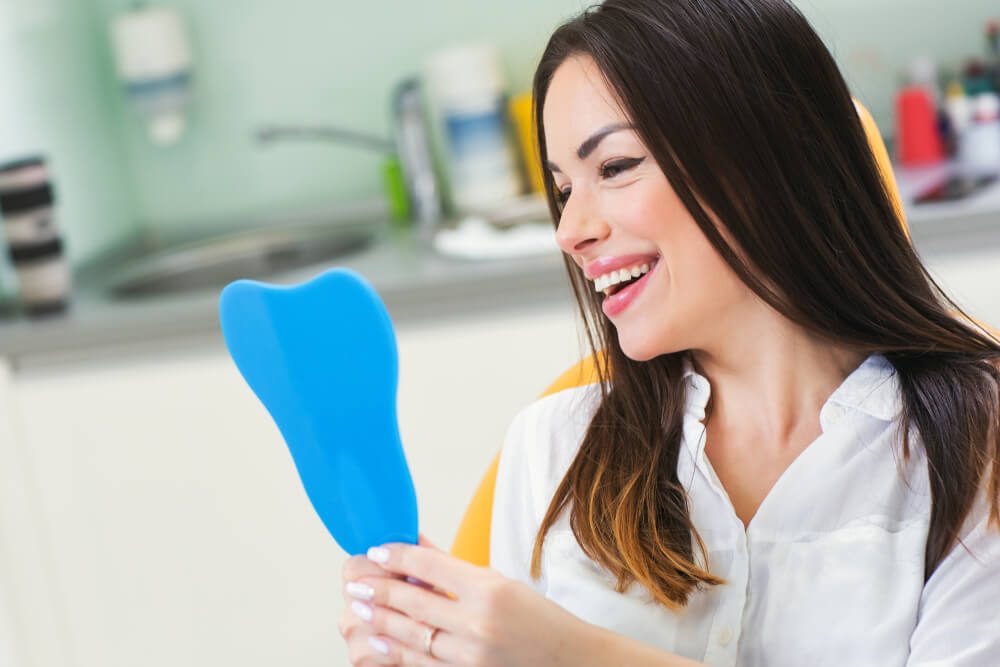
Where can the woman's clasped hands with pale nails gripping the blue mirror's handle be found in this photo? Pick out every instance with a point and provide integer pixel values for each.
(465, 615)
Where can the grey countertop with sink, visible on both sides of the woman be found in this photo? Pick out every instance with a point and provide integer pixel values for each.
(418, 284)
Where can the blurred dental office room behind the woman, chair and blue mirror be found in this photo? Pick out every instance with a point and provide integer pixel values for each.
(152, 152)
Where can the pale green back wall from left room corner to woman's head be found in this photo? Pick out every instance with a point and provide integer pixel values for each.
(311, 62)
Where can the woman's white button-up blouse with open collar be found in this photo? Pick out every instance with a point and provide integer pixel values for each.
(829, 571)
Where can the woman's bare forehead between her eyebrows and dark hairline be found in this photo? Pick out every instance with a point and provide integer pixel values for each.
(577, 103)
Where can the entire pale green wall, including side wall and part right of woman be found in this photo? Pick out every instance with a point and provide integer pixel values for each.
(321, 61)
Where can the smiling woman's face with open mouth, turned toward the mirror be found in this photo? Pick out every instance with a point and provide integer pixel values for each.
(620, 213)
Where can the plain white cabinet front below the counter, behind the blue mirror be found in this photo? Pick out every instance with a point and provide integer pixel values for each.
(177, 530)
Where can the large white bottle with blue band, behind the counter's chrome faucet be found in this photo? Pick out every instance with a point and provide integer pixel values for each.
(470, 97)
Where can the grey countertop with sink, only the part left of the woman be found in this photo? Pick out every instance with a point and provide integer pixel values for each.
(415, 283)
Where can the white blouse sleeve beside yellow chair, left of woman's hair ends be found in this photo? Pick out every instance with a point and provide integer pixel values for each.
(514, 522)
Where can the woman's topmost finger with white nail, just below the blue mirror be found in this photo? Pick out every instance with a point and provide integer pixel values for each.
(441, 570)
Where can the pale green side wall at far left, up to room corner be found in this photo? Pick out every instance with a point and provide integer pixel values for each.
(54, 100)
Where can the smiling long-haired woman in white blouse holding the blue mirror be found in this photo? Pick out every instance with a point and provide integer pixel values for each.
(792, 455)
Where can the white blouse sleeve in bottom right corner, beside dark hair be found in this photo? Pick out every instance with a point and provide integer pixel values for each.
(957, 621)
